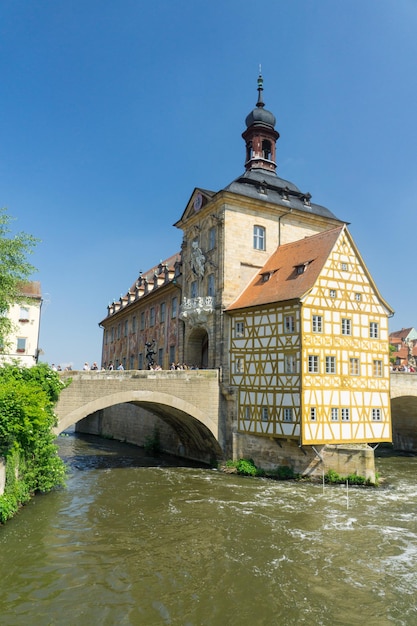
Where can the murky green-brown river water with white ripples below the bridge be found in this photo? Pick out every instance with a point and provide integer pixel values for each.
(142, 541)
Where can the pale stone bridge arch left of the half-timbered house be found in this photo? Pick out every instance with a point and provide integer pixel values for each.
(186, 402)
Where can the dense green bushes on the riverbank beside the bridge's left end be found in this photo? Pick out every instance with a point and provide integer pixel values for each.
(27, 399)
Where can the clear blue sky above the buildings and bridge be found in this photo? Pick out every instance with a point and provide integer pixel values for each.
(114, 111)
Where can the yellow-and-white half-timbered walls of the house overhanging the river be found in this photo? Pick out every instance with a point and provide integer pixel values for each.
(316, 368)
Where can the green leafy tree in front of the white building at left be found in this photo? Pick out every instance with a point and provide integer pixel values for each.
(14, 270)
